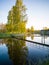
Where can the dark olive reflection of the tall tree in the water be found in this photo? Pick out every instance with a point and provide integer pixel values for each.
(17, 51)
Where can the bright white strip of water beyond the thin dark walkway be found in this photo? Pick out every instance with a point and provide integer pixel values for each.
(38, 38)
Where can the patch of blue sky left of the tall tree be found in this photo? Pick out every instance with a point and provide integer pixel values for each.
(5, 6)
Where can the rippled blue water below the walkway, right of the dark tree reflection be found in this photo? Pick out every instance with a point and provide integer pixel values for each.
(38, 55)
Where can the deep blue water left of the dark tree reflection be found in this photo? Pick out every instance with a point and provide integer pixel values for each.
(4, 57)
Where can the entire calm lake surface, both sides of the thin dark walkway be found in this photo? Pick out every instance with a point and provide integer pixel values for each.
(18, 52)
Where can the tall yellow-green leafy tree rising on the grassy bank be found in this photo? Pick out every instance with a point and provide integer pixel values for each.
(17, 18)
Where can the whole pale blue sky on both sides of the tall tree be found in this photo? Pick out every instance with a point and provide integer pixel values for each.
(37, 12)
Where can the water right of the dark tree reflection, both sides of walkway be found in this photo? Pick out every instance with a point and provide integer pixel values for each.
(38, 55)
